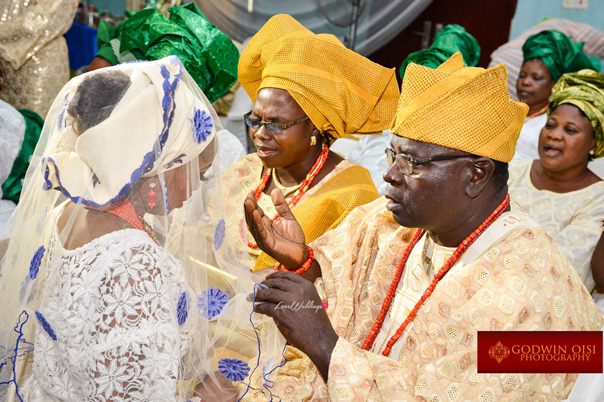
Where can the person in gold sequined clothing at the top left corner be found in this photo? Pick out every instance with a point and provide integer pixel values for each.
(33, 51)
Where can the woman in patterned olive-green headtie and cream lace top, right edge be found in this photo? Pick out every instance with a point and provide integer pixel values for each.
(558, 190)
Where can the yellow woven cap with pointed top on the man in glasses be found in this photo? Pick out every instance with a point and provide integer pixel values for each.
(464, 108)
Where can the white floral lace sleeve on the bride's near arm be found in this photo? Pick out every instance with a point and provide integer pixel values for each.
(137, 352)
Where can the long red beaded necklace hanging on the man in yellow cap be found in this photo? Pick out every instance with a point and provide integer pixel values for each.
(468, 241)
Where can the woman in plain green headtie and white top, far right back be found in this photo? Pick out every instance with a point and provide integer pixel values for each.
(547, 55)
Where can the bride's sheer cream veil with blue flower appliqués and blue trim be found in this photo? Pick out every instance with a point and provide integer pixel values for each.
(142, 123)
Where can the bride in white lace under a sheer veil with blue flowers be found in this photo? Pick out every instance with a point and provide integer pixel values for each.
(122, 282)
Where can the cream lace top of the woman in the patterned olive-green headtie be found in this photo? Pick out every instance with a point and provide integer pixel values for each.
(574, 220)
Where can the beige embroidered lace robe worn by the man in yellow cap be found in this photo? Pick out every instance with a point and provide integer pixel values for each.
(522, 281)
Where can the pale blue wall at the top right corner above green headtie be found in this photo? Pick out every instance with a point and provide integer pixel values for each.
(530, 12)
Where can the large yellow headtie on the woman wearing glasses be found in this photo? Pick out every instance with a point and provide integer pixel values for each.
(340, 91)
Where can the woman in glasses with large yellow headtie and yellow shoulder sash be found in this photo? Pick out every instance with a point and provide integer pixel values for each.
(308, 90)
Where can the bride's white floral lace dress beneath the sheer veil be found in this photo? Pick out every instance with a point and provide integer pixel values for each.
(113, 328)
